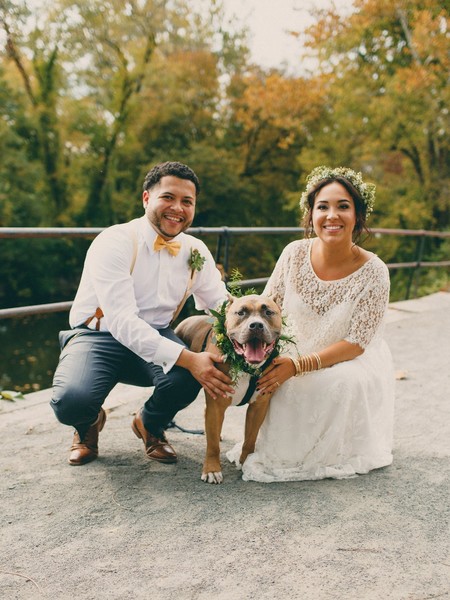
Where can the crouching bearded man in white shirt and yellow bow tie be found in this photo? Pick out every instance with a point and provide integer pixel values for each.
(135, 277)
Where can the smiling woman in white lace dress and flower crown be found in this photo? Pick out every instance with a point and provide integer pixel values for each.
(332, 413)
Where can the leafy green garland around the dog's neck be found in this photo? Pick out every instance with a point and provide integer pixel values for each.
(237, 363)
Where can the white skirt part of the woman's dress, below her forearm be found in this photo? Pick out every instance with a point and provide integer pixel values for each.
(334, 423)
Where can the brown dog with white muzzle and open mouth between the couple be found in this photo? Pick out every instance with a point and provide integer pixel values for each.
(253, 324)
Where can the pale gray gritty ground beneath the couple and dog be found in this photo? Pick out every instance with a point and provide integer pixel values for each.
(126, 528)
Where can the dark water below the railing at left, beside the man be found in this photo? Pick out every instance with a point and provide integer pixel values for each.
(29, 351)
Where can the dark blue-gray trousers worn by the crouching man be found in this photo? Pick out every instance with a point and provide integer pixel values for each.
(90, 365)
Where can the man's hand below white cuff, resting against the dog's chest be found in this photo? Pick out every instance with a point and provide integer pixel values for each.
(201, 366)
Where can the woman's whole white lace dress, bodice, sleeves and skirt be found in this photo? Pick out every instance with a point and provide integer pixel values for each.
(336, 422)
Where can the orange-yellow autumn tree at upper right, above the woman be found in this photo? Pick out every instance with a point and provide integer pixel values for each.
(385, 68)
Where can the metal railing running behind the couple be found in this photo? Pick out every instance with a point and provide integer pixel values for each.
(225, 234)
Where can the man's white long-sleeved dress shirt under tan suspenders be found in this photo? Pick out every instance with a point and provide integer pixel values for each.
(136, 304)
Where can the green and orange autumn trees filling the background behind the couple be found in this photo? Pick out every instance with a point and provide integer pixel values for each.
(93, 93)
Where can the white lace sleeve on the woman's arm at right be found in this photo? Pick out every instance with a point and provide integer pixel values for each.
(371, 308)
